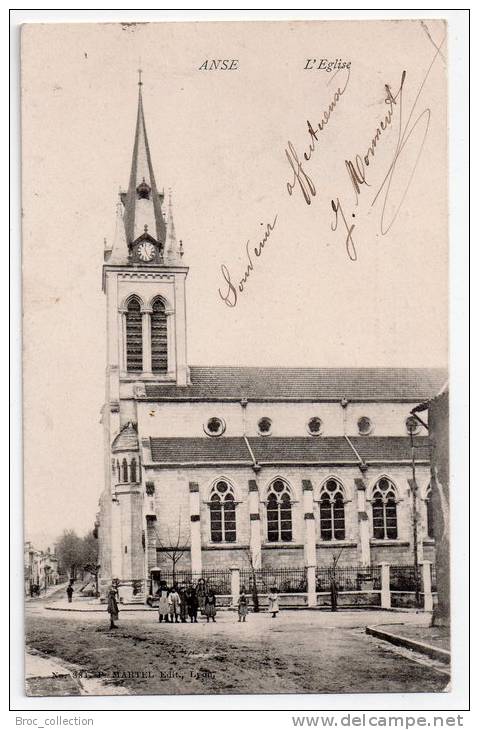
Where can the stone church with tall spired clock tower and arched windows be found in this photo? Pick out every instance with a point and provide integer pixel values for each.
(211, 468)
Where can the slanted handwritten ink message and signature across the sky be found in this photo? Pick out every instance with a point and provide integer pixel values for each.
(410, 126)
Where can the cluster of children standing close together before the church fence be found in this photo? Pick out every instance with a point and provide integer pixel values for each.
(178, 603)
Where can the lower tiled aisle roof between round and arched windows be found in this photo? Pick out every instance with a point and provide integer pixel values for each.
(272, 450)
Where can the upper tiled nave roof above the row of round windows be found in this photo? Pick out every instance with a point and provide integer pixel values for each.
(254, 383)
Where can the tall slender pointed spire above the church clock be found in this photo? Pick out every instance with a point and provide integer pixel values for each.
(143, 202)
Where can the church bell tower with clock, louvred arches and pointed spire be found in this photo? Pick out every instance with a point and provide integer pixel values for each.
(144, 283)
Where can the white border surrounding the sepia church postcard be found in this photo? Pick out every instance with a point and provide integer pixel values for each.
(457, 699)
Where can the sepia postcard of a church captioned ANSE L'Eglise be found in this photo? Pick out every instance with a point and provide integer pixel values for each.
(235, 291)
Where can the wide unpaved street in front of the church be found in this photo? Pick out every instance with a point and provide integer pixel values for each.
(299, 651)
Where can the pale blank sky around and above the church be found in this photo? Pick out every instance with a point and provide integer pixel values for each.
(219, 139)
